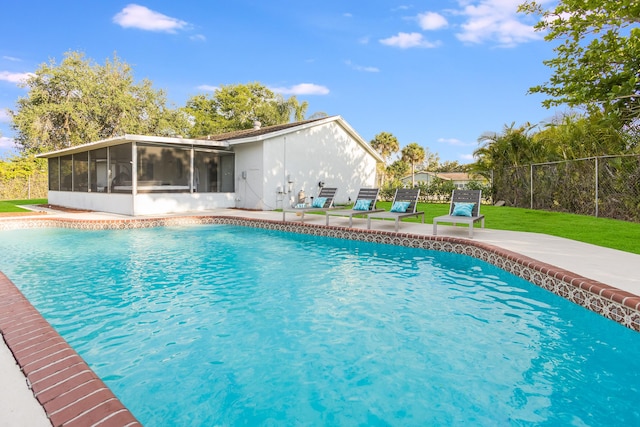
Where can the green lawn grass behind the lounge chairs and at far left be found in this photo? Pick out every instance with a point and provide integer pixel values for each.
(608, 233)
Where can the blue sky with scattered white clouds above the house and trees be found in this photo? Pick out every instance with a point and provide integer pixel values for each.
(440, 73)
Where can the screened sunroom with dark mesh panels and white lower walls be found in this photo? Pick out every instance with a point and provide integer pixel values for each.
(139, 175)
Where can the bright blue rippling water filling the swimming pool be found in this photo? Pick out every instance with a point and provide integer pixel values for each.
(225, 325)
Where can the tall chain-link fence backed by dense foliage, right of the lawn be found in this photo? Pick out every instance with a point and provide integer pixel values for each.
(606, 186)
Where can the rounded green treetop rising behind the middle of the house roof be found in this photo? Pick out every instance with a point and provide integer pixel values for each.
(237, 107)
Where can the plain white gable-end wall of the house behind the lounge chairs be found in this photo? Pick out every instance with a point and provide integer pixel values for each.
(326, 153)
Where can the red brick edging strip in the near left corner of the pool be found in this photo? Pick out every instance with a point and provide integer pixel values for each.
(68, 390)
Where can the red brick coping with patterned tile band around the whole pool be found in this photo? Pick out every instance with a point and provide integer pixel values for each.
(73, 395)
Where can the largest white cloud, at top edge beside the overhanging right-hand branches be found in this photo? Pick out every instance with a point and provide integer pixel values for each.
(495, 20)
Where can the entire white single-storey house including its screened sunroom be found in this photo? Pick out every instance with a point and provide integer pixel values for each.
(264, 168)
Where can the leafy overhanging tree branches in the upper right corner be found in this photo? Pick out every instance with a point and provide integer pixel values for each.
(598, 57)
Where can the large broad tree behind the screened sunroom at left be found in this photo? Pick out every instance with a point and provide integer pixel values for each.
(79, 101)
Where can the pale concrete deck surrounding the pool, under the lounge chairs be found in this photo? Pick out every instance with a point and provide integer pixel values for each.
(19, 407)
